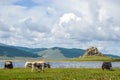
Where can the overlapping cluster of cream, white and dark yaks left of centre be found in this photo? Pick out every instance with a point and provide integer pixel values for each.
(38, 65)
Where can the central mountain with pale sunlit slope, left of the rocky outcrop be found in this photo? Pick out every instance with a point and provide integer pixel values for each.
(61, 53)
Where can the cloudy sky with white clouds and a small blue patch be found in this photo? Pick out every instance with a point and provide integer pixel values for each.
(61, 23)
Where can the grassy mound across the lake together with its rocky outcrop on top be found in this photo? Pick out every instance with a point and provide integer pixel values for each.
(93, 54)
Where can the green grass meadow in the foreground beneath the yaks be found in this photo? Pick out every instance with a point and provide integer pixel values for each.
(59, 74)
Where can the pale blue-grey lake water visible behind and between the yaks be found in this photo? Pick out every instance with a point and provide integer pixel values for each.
(20, 64)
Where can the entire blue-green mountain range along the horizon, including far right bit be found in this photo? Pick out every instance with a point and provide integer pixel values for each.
(48, 53)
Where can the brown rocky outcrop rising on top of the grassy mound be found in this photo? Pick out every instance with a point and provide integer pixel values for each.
(92, 51)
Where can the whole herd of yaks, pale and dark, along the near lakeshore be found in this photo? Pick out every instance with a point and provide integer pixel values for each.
(41, 65)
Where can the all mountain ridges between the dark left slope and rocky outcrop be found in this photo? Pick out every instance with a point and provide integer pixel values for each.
(55, 52)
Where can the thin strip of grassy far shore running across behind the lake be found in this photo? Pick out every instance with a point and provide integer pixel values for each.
(64, 60)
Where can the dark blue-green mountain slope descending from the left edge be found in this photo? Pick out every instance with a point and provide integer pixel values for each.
(10, 51)
